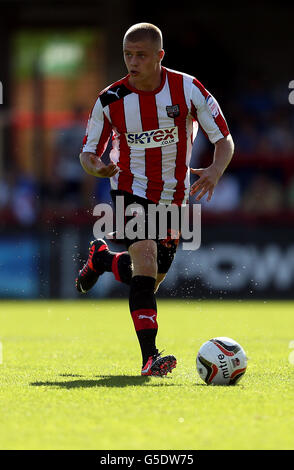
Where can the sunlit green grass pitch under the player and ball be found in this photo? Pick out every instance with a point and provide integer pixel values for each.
(70, 377)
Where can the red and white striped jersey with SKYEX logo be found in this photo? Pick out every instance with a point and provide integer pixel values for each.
(153, 134)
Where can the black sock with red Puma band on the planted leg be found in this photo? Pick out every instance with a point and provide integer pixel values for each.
(144, 313)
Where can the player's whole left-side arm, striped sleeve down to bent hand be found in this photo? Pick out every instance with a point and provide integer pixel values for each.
(95, 142)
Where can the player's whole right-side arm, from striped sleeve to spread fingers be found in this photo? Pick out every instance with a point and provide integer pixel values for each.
(210, 117)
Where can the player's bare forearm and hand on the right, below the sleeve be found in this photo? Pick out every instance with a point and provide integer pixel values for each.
(209, 177)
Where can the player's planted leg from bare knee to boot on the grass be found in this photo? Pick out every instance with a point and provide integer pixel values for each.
(143, 307)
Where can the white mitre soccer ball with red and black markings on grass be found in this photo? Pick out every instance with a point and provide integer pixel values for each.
(221, 361)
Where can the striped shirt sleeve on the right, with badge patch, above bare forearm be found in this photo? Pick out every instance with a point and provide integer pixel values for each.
(206, 110)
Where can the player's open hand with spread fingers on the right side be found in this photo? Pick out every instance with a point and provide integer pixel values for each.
(208, 179)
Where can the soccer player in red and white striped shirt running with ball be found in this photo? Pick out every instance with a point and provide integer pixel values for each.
(151, 112)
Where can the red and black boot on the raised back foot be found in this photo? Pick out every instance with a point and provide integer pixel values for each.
(88, 275)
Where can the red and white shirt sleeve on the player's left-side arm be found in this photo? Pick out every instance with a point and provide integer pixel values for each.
(97, 132)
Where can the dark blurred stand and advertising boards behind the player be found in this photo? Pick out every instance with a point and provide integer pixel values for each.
(55, 59)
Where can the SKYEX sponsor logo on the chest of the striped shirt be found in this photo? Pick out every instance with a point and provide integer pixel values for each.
(153, 138)
